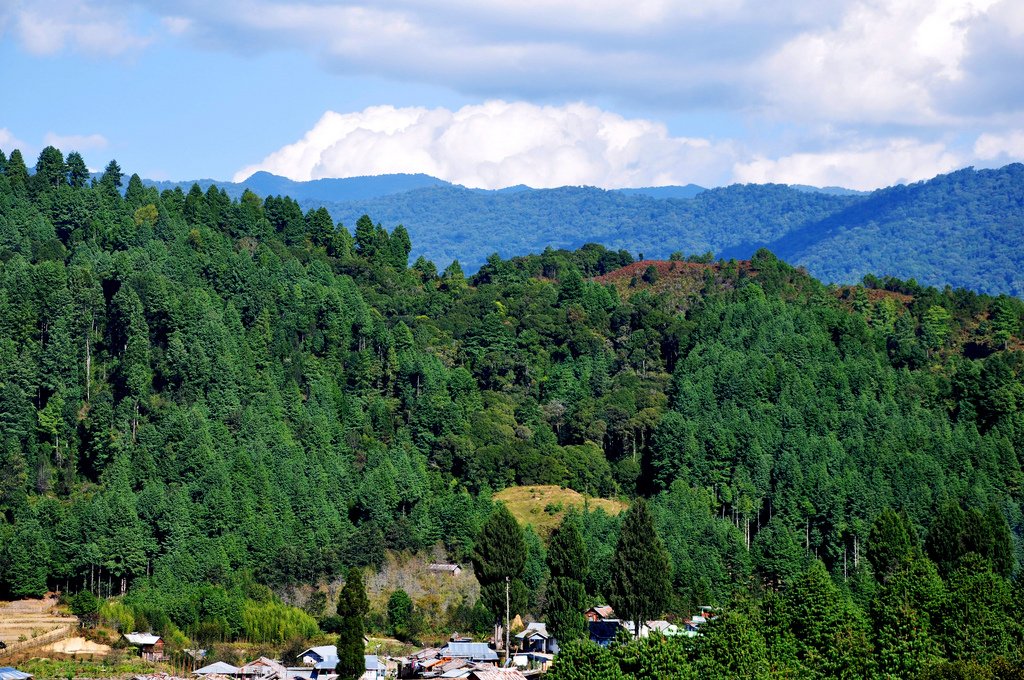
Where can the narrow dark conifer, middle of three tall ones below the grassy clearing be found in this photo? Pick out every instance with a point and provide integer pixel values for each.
(567, 594)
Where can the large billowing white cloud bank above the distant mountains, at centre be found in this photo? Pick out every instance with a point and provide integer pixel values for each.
(500, 144)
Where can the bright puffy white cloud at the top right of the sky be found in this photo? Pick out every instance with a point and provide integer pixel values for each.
(886, 62)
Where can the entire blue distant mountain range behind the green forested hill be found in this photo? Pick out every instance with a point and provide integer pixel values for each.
(965, 229)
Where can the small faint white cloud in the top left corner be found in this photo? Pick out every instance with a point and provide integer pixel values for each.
(49, 27)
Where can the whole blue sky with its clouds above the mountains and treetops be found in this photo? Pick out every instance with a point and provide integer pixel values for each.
(543, 93)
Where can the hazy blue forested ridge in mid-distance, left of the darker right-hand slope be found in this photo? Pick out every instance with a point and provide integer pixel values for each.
(452, 223)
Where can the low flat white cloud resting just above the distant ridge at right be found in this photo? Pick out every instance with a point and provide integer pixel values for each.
(862, 166)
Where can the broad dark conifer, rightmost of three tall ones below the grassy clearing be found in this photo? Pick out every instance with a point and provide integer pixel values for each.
(642, 583)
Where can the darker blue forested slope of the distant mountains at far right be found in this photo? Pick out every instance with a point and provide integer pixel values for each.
(965, 229)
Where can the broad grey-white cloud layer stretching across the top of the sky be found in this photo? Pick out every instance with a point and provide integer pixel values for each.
(847, 62)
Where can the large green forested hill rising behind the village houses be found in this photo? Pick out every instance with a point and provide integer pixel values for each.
(200, 398)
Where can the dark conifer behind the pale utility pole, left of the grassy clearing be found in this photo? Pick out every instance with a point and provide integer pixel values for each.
(499, 560)
